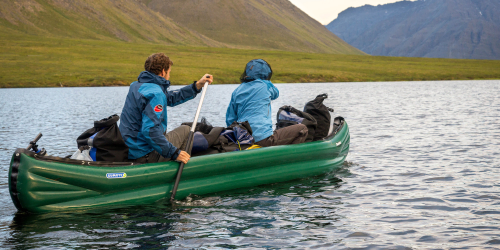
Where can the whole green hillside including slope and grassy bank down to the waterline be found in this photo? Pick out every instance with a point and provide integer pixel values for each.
(105, 42)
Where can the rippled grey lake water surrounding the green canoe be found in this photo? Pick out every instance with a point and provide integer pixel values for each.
(423, 172)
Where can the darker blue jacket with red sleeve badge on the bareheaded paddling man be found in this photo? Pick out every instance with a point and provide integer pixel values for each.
(143, 120)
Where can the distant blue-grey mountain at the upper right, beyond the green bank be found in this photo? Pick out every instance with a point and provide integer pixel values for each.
(468, 29)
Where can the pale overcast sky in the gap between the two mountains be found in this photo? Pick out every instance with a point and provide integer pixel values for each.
(326, 11)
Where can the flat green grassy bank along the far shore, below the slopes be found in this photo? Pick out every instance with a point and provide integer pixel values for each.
(51, 62)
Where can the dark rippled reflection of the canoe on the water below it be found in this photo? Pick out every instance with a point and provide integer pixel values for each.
(236, 216)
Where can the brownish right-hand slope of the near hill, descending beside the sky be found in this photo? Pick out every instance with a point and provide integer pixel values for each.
(262, 24)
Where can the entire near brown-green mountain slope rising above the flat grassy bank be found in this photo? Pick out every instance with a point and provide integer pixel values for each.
(252, 24)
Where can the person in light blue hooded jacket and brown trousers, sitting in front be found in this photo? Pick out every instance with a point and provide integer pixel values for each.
(251, 102)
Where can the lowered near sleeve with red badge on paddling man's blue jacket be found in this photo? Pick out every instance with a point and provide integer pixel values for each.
(152, 129)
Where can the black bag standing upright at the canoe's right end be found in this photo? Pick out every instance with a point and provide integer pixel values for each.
(321, 113)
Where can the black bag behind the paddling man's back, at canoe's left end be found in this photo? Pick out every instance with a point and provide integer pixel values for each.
(106, 141)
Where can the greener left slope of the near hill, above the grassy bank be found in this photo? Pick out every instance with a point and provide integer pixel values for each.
(125, 20)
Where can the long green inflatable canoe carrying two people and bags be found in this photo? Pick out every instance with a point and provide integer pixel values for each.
(40, 184)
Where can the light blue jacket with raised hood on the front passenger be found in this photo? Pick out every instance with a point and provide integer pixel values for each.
(251, 101)
